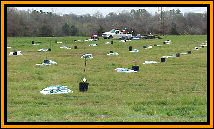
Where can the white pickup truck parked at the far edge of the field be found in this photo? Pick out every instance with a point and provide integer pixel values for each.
(117, 34)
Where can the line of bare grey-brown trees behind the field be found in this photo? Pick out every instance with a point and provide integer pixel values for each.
(140, 21)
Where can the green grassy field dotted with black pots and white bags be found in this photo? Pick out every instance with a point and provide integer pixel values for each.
(175, 91)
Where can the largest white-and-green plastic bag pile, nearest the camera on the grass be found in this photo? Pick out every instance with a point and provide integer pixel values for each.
(58, 89)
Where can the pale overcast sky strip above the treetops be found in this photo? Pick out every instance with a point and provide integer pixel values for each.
(107, 10)
